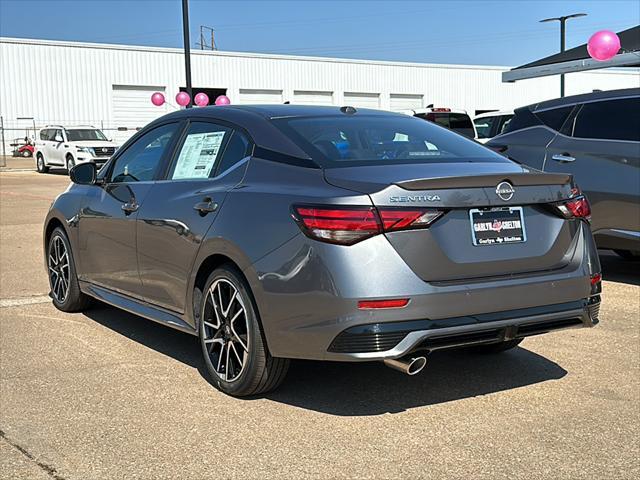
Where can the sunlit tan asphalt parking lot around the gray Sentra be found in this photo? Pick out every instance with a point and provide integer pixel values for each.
(108, 395)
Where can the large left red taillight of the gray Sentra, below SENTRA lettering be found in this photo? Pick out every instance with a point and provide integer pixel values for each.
(347, 225)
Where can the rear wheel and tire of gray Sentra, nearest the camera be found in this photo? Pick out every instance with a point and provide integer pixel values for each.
(231, 338)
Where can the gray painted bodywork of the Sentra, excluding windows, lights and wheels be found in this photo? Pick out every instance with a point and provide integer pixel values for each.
(149, 261)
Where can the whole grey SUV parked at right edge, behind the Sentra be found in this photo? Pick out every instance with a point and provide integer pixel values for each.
(596, 138)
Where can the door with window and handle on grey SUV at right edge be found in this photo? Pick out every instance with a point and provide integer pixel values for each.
(601, 148)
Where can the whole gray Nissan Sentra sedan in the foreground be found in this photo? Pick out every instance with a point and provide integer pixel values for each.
(325, 233)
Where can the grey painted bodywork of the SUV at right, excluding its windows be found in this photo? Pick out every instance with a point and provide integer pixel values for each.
(607, 171)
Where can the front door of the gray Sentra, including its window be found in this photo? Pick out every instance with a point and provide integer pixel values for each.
(107, 221)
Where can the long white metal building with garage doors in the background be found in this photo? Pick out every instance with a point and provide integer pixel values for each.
(45, 82)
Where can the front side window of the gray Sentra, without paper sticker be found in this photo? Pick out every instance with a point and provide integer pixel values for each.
(140, 161)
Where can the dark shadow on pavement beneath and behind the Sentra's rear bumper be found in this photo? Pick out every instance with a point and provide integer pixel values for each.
(358, 389)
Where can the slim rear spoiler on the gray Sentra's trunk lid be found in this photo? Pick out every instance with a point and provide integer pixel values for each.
(481, 181)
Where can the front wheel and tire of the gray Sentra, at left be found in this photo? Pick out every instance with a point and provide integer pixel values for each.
(65, 292)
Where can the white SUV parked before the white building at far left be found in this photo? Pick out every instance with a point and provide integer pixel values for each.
(58, 146)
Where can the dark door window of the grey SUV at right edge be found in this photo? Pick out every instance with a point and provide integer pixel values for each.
(610, 120)
